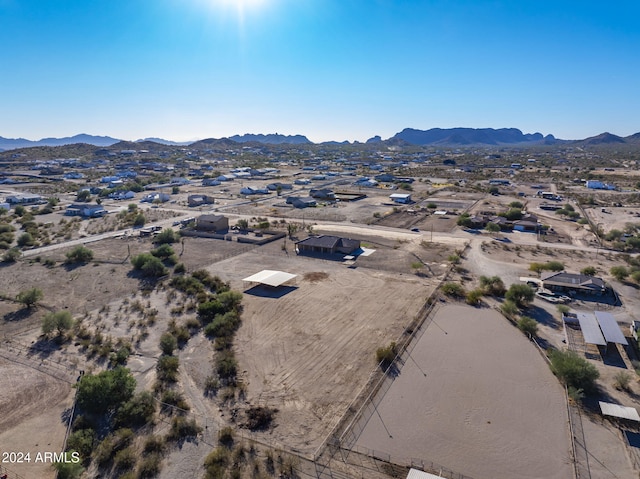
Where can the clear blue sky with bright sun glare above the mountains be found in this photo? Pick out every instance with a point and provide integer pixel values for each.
(327, 69)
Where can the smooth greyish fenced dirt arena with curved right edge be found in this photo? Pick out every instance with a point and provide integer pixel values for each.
(487, 407)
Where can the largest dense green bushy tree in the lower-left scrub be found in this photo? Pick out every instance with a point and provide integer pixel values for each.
(104, 391)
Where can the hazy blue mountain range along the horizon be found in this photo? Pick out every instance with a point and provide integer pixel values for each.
(452, 137)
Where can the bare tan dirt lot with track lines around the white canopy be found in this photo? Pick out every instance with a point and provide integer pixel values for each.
(308, 350)
